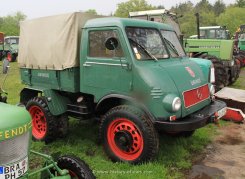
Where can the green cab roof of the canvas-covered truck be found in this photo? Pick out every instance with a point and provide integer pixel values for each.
(125, 22)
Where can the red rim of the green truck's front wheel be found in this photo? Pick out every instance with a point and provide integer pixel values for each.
(125, 139)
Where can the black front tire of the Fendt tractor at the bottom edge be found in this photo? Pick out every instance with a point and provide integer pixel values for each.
(75, 166)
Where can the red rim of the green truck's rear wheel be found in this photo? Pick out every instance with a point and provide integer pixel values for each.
(39, 122)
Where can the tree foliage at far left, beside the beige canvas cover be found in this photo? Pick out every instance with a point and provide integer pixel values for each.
(10, 25)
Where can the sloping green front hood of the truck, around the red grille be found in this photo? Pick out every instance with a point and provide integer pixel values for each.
(173, 76)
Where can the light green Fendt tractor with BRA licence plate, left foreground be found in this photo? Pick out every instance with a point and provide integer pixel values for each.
(15, 137)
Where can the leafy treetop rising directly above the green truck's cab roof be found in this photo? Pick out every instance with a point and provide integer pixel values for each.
(124, 8)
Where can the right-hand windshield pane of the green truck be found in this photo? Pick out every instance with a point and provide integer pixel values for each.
(173, 43)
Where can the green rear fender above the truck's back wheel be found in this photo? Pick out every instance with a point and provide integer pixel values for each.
(57, 103)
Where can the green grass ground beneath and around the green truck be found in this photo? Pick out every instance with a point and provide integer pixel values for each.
(175, 156)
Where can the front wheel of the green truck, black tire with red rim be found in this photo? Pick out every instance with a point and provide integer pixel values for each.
(124, 145)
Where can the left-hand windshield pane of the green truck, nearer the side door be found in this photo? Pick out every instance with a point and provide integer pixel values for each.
(146, 43)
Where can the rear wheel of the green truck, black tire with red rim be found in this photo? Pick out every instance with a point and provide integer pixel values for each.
(45, 128)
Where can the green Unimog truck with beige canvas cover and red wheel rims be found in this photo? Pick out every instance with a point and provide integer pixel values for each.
(131, 74)
